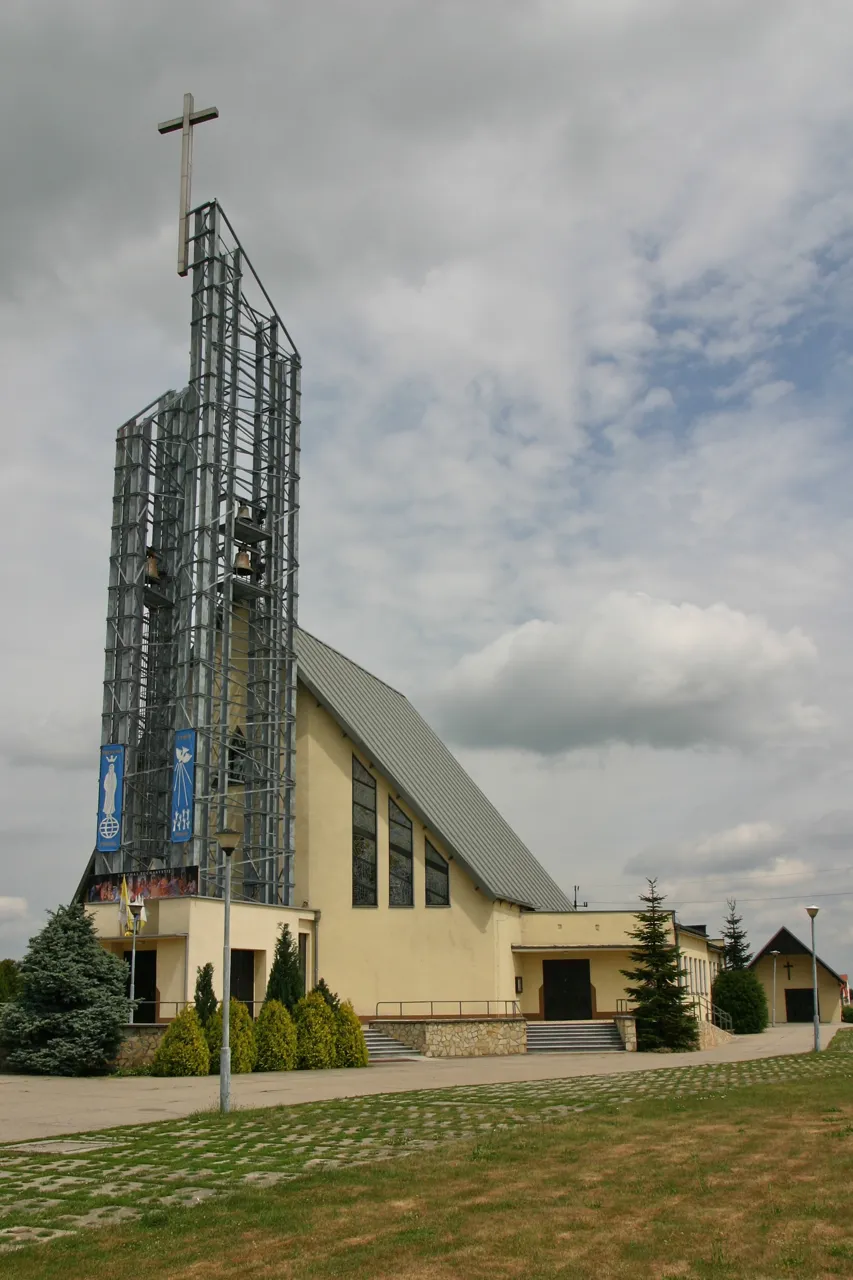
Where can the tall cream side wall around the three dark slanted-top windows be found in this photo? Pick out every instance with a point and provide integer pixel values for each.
(372, 954)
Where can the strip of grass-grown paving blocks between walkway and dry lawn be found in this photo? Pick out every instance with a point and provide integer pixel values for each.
(101, 1180)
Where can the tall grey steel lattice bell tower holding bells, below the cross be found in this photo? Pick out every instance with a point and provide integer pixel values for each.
(203, 588)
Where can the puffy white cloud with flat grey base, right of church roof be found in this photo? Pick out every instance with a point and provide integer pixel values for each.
(635, 670)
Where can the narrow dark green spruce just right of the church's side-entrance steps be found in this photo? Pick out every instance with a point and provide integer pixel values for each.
(664, 1018)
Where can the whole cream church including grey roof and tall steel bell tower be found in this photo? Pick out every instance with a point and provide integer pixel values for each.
(227, 728)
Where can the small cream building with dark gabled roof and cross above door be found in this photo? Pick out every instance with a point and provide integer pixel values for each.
(793, 981)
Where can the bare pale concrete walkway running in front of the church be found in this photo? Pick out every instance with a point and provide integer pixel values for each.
(34, 1107)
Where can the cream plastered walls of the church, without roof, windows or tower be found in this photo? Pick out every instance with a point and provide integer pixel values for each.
(478, 954)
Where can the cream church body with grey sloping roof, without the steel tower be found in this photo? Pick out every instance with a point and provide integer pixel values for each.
(413, 895)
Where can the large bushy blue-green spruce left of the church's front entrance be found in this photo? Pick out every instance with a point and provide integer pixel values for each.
(72, 1009)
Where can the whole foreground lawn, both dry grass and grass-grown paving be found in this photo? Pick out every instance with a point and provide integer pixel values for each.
(708, 1172)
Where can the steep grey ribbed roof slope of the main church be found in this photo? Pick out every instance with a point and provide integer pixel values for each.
(436, 788)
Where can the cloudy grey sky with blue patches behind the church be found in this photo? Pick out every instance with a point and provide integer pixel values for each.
(572, 282)
